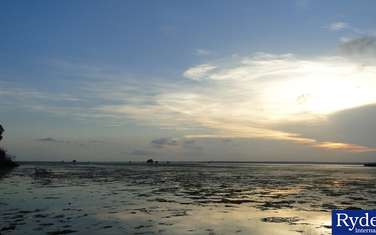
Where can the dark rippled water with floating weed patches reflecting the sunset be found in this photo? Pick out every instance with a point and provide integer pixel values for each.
(180, 199)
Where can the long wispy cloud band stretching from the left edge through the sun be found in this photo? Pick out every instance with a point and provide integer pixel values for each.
(233, 98)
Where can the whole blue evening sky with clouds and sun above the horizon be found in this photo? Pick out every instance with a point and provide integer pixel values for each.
(188, 80)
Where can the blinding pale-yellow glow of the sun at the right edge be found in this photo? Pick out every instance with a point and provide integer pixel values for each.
(319, 88)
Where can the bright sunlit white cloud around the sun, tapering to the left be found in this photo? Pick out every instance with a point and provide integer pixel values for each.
(246, 98)
